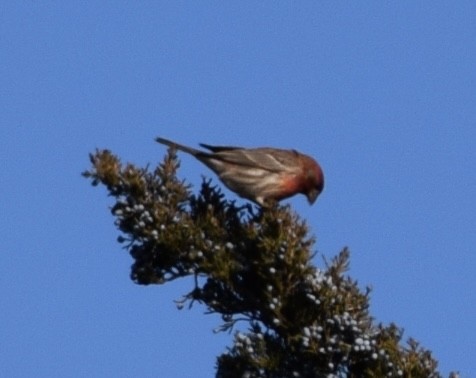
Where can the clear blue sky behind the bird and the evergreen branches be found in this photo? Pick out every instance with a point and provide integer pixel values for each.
(381, 93)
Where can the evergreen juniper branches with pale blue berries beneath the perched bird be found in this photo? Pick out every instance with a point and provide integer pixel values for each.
(253, 266)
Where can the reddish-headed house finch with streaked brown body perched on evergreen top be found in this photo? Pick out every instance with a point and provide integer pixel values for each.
(262, 175)
